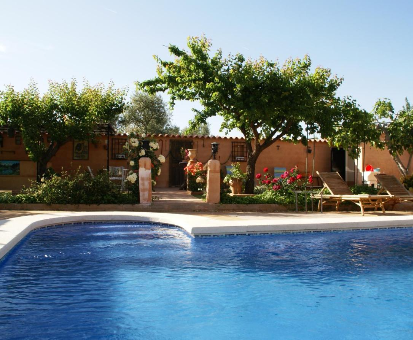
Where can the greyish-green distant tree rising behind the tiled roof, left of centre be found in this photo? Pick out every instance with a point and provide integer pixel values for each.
(147, 114)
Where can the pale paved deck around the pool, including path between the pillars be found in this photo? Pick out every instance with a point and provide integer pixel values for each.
(16, 224)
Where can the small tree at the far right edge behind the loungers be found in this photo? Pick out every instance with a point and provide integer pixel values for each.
(397, 129)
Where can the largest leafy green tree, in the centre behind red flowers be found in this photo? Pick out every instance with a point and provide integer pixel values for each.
(266, 101)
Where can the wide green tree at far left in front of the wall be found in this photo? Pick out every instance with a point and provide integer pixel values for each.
(64, 112)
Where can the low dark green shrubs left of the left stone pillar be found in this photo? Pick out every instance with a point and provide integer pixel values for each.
(80, 188)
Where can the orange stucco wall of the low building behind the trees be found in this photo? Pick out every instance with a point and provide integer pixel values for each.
(280, 154)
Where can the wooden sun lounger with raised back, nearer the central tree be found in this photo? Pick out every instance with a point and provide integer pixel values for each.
(340, 192)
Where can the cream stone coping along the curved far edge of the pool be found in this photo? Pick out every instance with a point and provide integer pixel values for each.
(13, 230)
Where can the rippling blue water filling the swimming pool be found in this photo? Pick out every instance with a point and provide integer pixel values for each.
(156, 282)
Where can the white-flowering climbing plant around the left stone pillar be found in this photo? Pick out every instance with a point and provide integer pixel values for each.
(134, 149)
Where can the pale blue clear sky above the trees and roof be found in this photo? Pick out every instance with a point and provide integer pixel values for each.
(368, 43)
